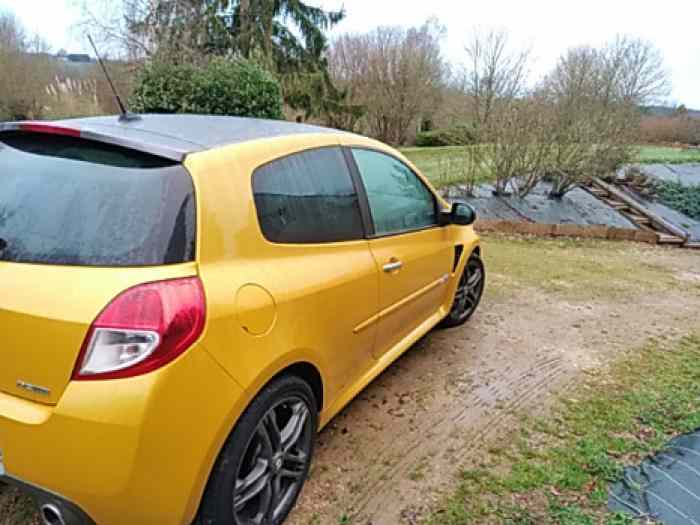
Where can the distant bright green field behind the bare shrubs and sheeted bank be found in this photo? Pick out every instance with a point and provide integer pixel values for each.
(443, 166)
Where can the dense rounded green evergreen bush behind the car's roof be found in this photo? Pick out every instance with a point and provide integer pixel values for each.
(222, 87)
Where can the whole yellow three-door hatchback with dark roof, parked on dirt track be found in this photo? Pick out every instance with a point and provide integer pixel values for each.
(186, 300)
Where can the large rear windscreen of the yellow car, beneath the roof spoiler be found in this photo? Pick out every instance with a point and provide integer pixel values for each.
(71, 201)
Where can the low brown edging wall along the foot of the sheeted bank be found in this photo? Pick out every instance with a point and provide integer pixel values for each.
(566, 230)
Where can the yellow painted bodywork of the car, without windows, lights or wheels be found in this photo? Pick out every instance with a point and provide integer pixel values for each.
(140, 450)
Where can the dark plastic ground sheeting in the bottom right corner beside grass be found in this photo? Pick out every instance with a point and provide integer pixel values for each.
(665, 487)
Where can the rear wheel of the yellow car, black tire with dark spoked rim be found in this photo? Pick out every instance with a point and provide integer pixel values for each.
(254, 481)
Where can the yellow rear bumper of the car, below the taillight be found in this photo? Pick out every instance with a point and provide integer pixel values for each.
(135, 451)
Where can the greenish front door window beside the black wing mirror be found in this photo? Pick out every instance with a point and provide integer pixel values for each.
(398, 199)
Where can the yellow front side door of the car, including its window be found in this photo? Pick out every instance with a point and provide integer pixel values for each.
(413, 253)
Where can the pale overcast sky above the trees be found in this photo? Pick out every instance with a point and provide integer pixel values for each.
(546, 27)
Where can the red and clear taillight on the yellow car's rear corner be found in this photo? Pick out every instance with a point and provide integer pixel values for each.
(143, 329)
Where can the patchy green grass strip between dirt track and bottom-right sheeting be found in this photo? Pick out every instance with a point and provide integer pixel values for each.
(556, 470)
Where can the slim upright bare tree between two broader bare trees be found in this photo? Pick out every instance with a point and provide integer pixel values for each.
(493, 73)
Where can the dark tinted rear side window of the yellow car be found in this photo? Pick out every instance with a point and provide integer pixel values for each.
(307, 197)
